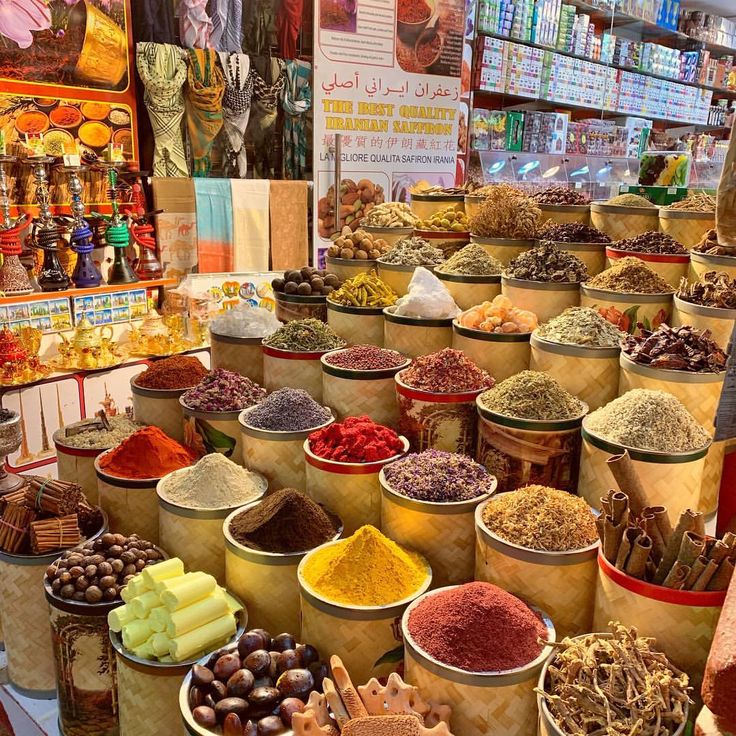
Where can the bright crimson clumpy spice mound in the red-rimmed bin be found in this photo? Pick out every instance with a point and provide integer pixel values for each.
(356, 440)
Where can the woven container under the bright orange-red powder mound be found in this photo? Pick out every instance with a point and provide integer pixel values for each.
(131, 504)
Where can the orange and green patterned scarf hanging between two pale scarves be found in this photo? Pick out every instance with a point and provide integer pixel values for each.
(205, 88)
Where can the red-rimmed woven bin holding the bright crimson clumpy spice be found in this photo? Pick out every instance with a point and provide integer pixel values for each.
(351, 490)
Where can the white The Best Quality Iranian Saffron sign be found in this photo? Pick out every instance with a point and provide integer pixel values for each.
(387, 75)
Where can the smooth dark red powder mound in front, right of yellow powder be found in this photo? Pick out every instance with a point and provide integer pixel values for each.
(477, 627)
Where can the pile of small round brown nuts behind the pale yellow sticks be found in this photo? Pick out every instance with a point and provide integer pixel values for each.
(98, 570)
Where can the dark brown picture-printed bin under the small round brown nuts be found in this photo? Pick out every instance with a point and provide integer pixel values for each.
(85, 666)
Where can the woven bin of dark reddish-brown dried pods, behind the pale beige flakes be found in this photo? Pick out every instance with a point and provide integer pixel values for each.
(699, 393)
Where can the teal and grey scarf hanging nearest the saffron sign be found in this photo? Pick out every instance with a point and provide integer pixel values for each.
(296, 102)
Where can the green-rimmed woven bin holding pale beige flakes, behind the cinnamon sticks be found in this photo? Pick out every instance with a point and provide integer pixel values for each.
(670, 479)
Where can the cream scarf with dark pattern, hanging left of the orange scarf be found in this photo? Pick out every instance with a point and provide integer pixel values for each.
(163, 72)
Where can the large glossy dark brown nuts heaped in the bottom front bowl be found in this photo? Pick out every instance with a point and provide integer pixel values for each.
(256, 687)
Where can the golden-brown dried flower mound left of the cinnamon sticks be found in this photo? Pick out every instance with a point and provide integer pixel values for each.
(541, 518)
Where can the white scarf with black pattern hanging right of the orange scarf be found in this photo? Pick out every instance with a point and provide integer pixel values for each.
(236, 111)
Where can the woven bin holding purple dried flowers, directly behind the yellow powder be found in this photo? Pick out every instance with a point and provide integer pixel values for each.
(442, 532)
